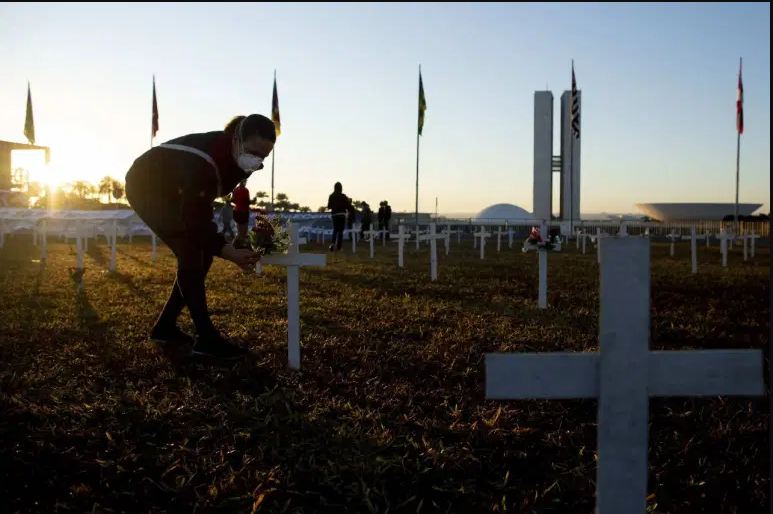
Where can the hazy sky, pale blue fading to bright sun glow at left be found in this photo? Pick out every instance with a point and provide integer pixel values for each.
(658, 83)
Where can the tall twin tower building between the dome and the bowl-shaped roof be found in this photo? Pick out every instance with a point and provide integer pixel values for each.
(566, 165)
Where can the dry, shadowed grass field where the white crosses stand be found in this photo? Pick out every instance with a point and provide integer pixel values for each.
(388, 412)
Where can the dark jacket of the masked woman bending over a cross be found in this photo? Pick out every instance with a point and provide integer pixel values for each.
(175, 189)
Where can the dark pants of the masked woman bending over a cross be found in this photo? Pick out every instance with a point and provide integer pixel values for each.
(165, 208)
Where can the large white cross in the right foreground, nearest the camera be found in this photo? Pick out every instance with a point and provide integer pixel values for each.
(623, 375)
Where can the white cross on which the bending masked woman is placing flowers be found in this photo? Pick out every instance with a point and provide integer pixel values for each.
(293, 260)
